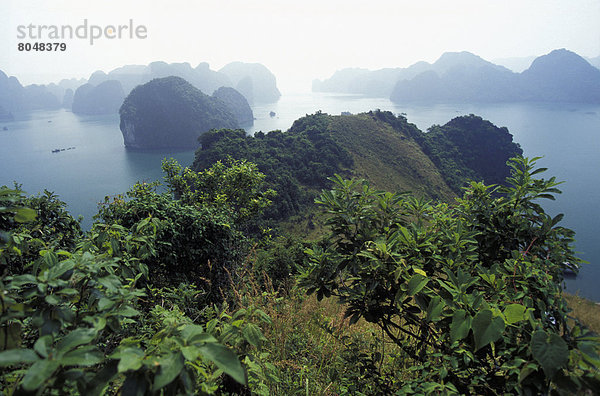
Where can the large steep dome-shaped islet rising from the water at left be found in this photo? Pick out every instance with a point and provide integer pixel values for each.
(170, 113)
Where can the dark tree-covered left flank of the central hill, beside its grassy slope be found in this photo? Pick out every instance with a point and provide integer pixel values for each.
(296, 164)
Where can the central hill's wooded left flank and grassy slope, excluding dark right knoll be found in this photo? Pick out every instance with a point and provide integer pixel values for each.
(376, 146)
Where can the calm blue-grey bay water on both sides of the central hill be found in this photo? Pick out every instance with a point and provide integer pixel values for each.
(568, 136)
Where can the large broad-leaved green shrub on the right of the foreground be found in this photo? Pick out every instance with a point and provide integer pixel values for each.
(471, 293)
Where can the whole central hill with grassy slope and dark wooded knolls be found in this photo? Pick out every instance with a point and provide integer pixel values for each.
(384, 149)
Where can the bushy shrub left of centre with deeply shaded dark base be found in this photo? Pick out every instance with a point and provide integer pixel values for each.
(199, 238)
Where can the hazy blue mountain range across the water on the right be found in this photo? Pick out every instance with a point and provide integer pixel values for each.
(560, 76)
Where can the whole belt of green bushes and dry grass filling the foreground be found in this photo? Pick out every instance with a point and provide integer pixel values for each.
(436, 299)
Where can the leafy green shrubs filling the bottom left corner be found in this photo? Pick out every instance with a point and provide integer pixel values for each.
(69, 325)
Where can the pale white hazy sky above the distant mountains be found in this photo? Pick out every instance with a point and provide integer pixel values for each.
(297, 40)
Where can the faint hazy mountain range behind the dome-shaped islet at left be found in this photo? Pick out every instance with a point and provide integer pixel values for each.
(104, 92)
